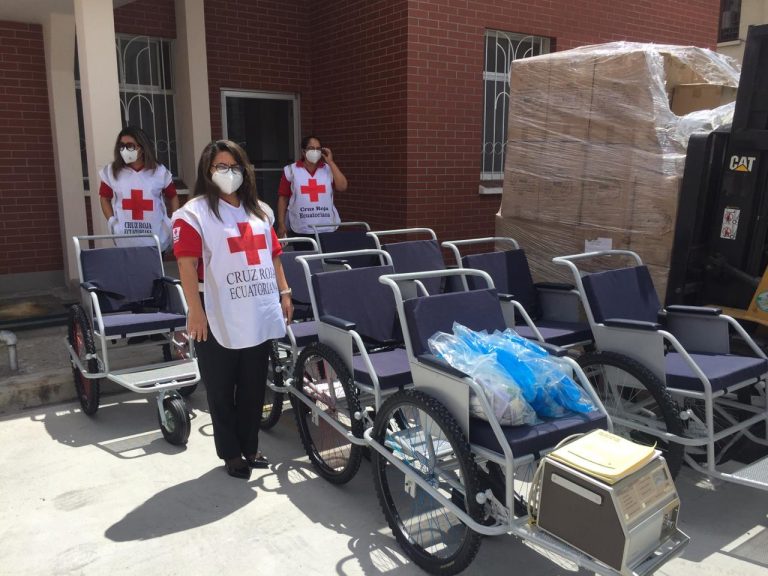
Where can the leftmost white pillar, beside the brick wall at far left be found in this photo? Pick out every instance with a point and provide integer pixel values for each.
(59, 38)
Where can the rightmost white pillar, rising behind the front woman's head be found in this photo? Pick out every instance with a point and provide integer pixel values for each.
(193, 110)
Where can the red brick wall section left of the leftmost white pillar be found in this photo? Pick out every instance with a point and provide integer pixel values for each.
(29, 213)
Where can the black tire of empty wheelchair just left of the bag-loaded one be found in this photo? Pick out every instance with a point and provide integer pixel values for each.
(346, 462)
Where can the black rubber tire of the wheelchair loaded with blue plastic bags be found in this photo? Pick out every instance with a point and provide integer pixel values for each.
(469, 541)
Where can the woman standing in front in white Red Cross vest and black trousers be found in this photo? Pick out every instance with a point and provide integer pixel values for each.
(224, 236)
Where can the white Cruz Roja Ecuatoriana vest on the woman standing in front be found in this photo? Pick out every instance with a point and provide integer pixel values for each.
(242, 300)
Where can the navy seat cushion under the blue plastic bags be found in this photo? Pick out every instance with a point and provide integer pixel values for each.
(532, 439)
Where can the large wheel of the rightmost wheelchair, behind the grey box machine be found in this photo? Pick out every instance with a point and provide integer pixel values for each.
(630, 391)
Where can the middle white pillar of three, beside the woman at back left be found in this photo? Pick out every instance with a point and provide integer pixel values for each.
(95, 25)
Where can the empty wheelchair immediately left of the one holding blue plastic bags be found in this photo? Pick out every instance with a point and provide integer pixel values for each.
(340, 380)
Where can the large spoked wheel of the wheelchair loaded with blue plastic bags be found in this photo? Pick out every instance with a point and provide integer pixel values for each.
(420, 432)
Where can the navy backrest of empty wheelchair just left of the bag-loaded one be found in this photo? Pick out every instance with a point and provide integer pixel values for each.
(357, 296)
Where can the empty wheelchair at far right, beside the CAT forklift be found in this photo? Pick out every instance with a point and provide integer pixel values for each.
(667, 375)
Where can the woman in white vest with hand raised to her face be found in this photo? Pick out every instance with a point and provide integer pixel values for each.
(305, 196)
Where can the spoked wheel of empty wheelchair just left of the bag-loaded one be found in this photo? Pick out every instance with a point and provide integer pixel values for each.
(322, 377)
